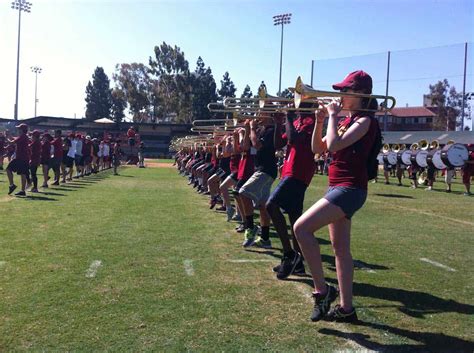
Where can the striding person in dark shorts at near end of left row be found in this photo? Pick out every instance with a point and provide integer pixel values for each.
(20, 161)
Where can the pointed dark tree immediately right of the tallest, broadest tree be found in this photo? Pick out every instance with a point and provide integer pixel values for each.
(203, 91)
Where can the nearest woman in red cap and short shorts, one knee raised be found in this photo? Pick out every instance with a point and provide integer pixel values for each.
(350, 143)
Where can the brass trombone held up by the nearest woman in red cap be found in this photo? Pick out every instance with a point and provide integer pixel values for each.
(305, 92)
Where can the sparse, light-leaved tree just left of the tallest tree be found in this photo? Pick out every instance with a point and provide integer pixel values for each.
(137, 87)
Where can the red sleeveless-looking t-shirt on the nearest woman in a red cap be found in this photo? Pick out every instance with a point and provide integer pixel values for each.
(349, 165)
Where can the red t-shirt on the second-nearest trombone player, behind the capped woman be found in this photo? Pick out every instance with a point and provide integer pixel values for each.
(299, 160)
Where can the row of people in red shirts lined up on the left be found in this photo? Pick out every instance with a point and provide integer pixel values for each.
(57, 153)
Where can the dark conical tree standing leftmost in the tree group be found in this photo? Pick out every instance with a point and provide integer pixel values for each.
(98, 96)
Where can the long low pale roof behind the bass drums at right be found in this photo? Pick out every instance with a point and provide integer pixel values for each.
(409, 137)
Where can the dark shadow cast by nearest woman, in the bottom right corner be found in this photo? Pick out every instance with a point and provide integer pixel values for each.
(429, 341)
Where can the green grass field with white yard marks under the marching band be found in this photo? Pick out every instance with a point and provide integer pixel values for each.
(137, 262)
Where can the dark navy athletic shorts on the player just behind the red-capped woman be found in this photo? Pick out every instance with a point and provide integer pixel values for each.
(289, 195)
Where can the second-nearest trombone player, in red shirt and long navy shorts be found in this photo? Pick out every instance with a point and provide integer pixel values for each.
(298, 170)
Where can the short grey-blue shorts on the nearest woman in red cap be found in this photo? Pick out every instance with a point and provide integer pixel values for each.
(348, 199)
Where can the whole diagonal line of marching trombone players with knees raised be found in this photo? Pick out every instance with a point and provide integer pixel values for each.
(246, 164)
